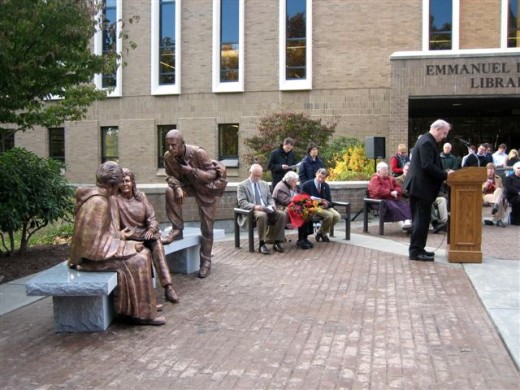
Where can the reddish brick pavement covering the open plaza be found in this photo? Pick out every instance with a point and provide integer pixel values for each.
(354, 318)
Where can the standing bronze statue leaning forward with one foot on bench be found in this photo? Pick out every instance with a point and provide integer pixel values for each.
(192, 173)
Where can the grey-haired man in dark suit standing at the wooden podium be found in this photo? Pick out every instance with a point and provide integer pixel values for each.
(423, 184)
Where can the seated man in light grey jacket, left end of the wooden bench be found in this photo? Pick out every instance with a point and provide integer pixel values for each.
(254, 194)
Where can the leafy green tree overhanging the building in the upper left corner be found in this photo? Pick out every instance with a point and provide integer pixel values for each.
(45, 51)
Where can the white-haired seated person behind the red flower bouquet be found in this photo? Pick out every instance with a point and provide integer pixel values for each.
(282, 195)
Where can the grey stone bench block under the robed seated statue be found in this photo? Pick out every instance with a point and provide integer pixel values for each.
(82, 301)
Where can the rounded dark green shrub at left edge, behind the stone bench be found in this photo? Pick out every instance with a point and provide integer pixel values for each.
(33, 193)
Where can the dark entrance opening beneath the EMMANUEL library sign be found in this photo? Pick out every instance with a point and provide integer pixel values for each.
(494, 120)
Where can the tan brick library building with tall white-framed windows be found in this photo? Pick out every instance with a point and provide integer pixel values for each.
(212, 68)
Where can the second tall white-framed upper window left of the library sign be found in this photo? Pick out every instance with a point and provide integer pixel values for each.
(228, 53)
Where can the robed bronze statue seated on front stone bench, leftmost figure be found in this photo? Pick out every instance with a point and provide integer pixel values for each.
(97, 246)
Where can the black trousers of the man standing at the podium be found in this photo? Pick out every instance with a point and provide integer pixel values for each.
(421, 217)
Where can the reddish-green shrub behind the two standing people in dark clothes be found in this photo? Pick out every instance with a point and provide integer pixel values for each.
(274, 128)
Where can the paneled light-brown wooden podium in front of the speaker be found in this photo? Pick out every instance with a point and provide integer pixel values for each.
(466, 215)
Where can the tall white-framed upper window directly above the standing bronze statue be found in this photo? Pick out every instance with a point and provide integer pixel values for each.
(166, 42)
